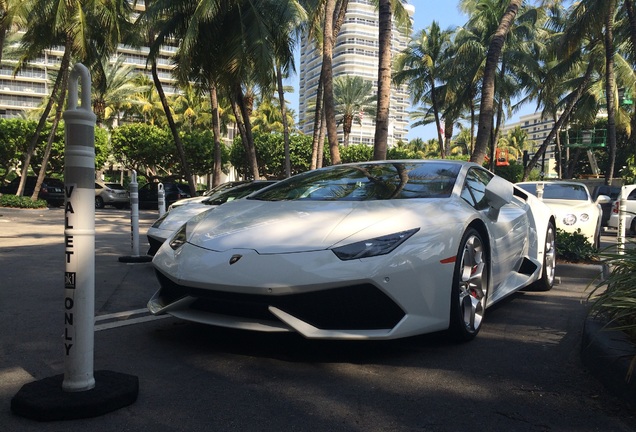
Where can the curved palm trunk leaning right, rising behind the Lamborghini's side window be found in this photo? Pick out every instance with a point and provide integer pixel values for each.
(486, 111)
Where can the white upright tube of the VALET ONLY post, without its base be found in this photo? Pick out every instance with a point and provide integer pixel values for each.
(79, 236)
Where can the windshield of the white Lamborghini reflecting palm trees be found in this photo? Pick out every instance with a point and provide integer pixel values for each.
(362, 182)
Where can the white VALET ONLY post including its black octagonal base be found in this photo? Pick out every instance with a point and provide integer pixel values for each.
(78, 392)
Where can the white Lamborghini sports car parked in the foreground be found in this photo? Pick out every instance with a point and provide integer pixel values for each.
(374, 250)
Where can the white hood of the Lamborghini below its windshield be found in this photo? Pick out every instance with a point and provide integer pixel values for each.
(300, 226)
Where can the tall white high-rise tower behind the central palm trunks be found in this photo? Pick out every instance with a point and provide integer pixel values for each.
(355, 53)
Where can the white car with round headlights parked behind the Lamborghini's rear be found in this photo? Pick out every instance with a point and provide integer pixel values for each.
(573, 206)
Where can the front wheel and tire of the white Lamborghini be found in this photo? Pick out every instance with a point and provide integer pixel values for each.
(470, 288)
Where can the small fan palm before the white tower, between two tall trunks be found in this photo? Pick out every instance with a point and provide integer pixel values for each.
(353, 98)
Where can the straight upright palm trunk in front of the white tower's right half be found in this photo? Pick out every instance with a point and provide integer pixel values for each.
(380, 145)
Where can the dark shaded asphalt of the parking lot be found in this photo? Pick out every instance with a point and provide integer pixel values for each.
(522, 373)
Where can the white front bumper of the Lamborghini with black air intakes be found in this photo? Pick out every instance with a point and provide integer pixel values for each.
(312, 293)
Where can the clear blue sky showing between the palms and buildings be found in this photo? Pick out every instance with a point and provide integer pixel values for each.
(447, 14)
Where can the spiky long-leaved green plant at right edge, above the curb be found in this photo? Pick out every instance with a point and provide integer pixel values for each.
(614, 298)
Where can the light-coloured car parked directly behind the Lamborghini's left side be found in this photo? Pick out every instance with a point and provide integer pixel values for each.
(171, 221)
